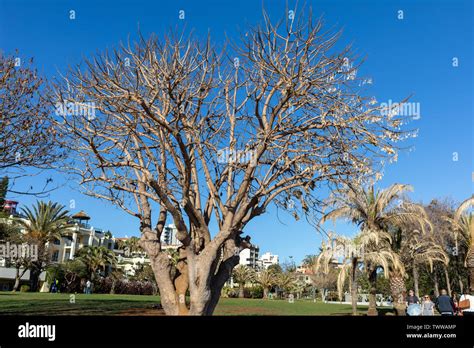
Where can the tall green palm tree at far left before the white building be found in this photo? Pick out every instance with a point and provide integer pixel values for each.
(42, 225)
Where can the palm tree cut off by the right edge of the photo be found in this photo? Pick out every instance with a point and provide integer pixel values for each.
(463, 228)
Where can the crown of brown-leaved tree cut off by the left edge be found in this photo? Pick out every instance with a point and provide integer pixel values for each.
(27, 137)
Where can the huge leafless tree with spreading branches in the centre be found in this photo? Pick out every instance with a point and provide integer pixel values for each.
(210, 139)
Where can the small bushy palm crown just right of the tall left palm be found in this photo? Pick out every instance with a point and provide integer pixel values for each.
(96, 258)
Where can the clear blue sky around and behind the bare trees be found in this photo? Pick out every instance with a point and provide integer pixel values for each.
(404, 57)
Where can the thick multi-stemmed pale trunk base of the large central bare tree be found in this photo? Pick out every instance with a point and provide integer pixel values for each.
(203, 273)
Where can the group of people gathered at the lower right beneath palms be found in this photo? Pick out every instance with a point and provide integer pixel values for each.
(446, 305)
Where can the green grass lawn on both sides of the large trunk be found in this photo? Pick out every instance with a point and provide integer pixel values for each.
(98, 304)
